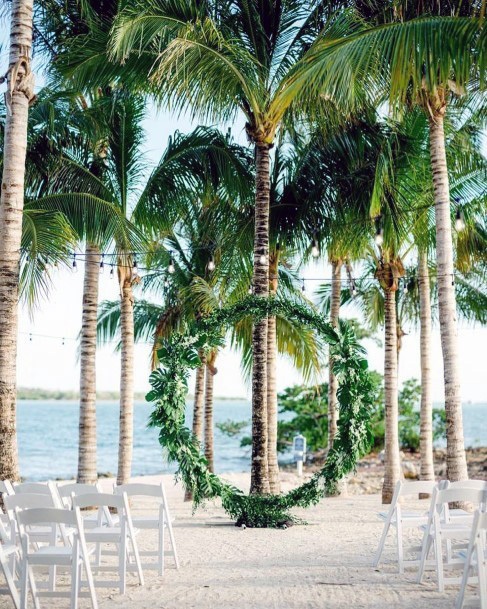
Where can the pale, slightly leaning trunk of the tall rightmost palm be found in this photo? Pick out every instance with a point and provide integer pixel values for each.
(456, 462)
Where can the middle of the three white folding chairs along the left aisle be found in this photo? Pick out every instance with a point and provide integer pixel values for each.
(121, 534)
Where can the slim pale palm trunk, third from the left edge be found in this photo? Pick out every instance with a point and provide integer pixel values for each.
(126, 432)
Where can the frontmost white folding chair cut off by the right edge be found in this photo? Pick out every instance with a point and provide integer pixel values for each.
(476, 558)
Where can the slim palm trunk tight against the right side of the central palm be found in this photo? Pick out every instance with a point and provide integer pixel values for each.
(273, 463)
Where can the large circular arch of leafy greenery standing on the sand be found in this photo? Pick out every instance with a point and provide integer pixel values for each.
(179, 354)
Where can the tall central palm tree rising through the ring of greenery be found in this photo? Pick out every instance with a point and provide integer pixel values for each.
(236, 57)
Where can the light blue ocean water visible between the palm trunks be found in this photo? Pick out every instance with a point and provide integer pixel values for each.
(48, 438)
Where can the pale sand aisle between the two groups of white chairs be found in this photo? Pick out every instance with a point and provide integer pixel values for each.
(326, 563)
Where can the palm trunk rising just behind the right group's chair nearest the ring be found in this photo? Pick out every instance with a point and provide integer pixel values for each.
(391, 458)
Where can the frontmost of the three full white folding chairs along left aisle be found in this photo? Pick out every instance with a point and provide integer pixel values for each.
(55, 554)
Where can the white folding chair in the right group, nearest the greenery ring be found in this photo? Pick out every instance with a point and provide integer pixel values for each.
(401, 520)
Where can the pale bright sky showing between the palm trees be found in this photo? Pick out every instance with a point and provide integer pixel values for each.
(47, 348)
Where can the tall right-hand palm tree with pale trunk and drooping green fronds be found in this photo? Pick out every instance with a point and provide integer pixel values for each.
(428, 61)
